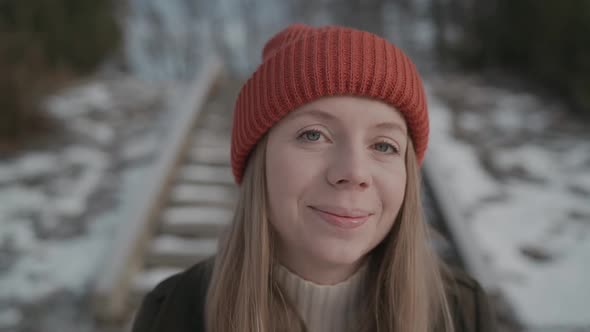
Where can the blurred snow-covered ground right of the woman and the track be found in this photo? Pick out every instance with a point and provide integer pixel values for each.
(519, 167)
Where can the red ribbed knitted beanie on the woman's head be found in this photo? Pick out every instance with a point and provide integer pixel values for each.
(302, 63)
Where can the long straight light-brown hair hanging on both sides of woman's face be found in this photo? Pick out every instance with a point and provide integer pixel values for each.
(405, 289)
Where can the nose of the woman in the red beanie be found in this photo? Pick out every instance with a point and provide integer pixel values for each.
(349, 169)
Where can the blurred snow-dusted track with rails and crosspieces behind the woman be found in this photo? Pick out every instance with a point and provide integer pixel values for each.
(191, 197)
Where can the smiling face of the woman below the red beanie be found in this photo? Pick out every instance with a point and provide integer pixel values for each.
(336, 179)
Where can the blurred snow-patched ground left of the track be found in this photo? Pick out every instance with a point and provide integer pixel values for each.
(61, 202)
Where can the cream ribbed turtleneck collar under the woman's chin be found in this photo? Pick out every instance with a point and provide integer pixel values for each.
(324, 307)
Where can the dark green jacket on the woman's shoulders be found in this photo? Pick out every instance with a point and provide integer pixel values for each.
(177, 304)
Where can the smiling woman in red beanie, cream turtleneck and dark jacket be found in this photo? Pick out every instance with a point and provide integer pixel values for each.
(328, 137)
